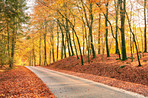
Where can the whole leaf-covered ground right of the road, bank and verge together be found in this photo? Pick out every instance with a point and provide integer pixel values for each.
(122, 74)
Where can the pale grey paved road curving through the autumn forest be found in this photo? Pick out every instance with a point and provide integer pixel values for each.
(67, 86)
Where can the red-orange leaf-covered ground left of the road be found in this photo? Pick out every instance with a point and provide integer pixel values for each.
(21, 82)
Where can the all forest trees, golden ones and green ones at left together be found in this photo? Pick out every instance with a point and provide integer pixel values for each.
(64, 28)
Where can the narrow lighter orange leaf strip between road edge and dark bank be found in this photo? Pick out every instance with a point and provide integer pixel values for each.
(129, 86)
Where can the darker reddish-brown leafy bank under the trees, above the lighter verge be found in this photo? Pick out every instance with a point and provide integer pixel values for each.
(109, 67)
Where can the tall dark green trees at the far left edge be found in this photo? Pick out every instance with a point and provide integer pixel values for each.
(12, 17)
